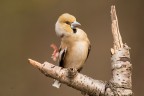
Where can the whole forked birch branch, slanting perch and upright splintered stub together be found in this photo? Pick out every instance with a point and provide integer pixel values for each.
(120, 83)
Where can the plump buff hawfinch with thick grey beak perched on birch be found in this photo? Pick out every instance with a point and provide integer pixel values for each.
(75, 45)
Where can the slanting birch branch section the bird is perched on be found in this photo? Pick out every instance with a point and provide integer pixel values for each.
(79, 81)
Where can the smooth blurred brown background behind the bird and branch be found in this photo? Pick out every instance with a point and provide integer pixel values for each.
(27, 30)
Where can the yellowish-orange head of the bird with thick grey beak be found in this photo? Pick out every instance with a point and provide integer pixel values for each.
(66, 24)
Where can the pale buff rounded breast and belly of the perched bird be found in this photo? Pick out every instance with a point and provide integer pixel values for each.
(76, 55)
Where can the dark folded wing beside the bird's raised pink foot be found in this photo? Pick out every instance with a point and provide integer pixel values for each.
(62, 53)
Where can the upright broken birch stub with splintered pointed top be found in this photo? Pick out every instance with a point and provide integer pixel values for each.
(120, 83)
